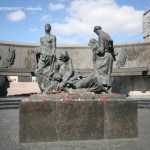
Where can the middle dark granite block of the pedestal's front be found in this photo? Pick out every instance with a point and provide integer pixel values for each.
(81, 120)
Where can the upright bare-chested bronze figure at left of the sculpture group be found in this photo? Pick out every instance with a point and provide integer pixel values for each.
(46, 58)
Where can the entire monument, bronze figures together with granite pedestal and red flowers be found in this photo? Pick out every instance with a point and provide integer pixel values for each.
(90, 111)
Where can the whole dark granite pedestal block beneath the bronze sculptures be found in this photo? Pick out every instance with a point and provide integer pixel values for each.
(43, 121)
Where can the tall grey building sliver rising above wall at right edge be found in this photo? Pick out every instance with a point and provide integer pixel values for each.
(146, 25)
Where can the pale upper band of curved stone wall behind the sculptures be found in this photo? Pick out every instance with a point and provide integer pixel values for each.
(138, 54)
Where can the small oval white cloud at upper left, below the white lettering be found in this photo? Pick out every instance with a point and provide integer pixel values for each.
(16, 16)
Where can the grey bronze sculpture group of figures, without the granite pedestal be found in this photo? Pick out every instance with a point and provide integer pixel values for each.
(58, 74)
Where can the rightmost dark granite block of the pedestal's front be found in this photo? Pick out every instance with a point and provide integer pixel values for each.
(121, 119)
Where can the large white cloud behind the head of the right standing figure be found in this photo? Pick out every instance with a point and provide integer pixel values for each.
(114, 19)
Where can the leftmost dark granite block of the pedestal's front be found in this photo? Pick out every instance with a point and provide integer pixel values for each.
(37, 121)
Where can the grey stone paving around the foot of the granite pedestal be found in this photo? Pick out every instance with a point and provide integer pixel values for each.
(9, 136)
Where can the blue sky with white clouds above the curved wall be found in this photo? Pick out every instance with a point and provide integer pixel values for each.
(72, 21)
